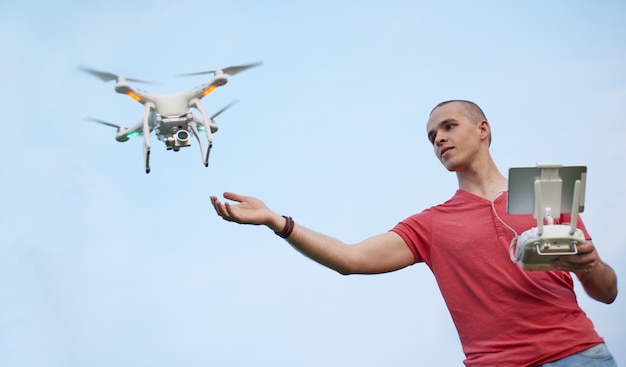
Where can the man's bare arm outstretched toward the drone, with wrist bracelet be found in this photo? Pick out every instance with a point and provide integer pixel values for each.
(379, 254)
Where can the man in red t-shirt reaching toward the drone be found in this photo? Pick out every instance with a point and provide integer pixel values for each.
(505, 316)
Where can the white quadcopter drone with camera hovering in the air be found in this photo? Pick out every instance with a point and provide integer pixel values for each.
(170, 116)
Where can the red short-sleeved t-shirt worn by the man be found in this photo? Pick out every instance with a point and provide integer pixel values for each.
(505, 316)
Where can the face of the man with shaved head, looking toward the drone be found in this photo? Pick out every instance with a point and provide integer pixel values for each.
(455, 138)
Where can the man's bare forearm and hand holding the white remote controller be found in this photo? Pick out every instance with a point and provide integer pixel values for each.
(597, 277)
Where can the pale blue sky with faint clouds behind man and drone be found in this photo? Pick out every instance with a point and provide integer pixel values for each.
(103, 265)
